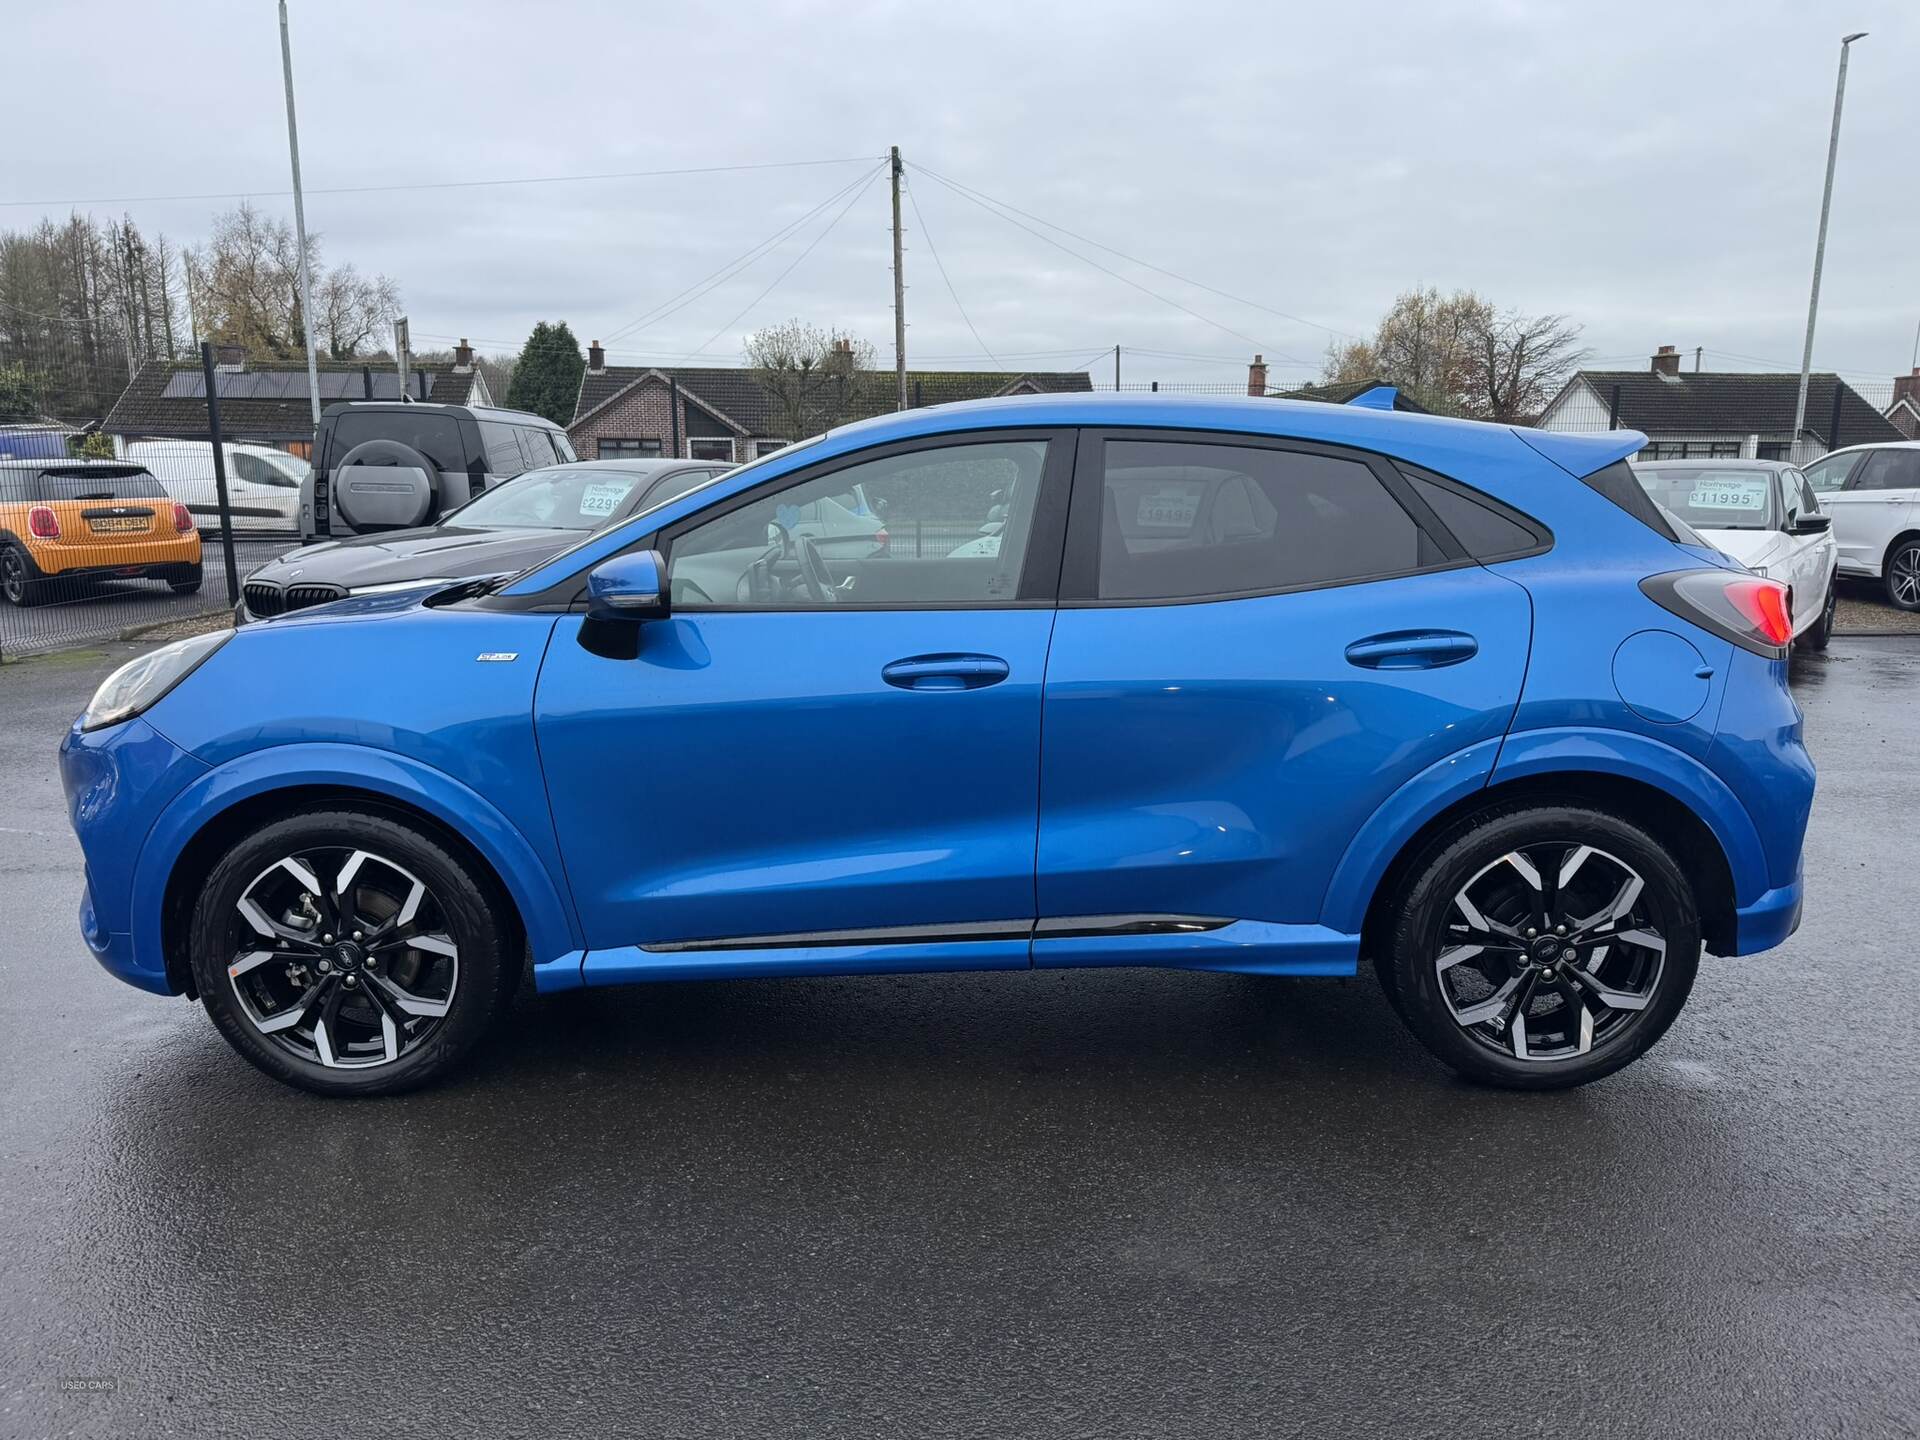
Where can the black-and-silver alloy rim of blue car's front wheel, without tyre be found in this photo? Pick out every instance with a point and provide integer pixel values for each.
(343, 959)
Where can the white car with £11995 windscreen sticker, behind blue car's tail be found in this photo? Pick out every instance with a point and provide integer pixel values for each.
(1767, 517)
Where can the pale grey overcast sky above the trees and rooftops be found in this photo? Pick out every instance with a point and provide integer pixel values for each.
(1650, 170)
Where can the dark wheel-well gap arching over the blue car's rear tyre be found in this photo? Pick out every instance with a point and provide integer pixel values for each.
(1671, 821)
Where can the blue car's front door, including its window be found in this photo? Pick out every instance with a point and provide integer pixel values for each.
(828, 757)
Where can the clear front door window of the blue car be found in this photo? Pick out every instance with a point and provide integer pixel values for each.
(928, 527)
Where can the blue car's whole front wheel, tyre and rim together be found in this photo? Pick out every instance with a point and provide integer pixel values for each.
(350, 953)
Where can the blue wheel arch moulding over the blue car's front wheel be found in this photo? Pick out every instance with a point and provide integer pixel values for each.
(203, 825)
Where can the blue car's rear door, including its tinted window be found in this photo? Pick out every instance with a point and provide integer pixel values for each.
(1257, 646)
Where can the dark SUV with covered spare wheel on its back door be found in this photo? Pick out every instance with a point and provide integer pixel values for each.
(393, 466)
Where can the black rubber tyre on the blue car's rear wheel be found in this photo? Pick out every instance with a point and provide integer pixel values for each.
(1428, 919)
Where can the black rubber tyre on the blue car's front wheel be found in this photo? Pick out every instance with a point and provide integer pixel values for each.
(466, 905)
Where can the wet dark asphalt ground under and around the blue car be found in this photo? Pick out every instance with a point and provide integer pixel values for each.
(1038, 1205)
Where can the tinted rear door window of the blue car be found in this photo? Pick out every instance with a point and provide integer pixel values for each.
(1193, 521)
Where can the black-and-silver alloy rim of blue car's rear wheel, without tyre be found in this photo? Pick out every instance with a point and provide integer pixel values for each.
(1550, 951)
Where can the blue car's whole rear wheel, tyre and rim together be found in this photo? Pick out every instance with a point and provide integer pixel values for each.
(1543, 946)
